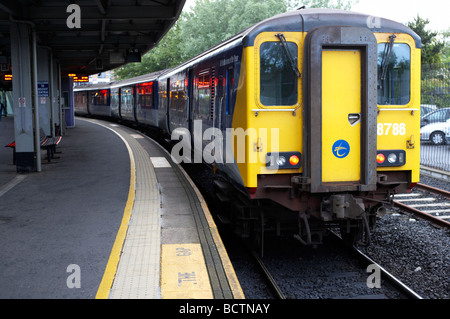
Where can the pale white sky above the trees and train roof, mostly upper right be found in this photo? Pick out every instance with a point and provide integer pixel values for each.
(402, 11)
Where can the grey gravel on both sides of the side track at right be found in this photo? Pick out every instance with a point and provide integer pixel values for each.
(414, 250)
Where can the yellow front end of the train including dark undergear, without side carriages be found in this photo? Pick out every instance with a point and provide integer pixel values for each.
(328, 103)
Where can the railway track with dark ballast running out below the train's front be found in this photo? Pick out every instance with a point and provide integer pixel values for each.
(345, 279)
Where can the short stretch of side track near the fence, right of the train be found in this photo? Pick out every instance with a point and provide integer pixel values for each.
(427, 203)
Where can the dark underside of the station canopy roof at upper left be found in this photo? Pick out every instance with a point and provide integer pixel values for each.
(94, 35)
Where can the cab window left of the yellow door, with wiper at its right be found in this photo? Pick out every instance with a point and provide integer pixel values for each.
(278, 82)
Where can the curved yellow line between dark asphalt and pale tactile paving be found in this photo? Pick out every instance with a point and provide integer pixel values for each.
(114, 257)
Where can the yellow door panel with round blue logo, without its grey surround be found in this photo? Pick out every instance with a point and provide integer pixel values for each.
(341, 115)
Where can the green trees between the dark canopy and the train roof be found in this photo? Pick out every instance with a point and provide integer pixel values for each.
(211, 22)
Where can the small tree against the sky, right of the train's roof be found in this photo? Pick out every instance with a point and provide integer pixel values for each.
(431, 47)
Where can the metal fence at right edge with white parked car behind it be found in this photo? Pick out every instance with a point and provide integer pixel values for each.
(435, 150)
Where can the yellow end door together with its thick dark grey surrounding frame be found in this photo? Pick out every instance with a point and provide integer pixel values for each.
(340, 109)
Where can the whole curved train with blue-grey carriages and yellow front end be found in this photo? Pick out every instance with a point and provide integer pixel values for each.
(310, 121)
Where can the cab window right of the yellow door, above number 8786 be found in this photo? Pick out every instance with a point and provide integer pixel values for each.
(394, 74)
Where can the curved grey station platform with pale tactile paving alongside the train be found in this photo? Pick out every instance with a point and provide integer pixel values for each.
(112, 217)
